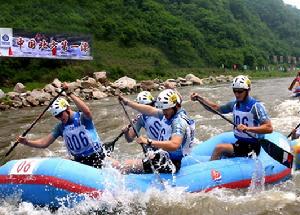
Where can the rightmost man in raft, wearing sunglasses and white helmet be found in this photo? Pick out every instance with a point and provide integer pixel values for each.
(249, 114)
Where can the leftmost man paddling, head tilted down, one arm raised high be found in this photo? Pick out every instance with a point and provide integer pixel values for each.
(77, 129)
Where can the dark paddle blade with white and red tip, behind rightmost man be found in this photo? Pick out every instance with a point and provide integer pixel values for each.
(277, 153)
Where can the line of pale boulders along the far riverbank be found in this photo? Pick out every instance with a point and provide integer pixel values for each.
(97, 87)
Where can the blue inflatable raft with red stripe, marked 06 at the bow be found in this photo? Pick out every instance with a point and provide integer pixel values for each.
(55, 181)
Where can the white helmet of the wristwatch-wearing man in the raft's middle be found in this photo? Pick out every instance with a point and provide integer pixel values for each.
(167, 99)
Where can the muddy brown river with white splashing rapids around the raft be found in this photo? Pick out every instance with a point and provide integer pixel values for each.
(109, 119)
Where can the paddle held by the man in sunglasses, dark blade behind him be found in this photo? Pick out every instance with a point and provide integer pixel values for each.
(276, 152)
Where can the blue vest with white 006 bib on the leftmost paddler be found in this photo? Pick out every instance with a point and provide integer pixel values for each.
(81, 142)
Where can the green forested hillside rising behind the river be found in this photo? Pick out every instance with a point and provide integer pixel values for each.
(153, 38)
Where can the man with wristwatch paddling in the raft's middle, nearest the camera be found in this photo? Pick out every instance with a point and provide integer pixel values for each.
(177, 139)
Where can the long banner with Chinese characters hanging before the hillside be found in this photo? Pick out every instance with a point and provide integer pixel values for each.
(15, 43)
